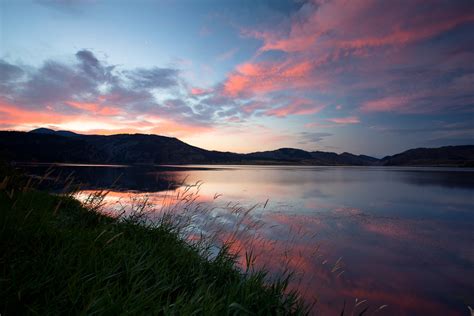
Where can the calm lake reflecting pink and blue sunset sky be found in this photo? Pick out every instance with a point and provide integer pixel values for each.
(400, 238)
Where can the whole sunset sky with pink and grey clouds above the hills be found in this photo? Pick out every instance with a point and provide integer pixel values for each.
(364, 76)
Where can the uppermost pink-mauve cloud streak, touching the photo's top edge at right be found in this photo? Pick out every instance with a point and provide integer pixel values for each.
(359, 24)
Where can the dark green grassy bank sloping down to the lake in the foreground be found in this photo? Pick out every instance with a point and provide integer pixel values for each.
(59, 257)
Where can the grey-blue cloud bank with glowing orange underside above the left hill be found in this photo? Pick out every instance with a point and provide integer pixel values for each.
(91, 89)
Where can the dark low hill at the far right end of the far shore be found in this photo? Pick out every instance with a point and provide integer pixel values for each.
(448, 155)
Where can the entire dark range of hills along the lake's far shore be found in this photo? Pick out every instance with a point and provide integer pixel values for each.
(47, 145)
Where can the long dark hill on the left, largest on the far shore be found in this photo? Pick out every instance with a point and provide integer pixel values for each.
(121, 148)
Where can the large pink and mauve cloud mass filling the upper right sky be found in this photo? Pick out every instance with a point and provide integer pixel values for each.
(386, 57)
